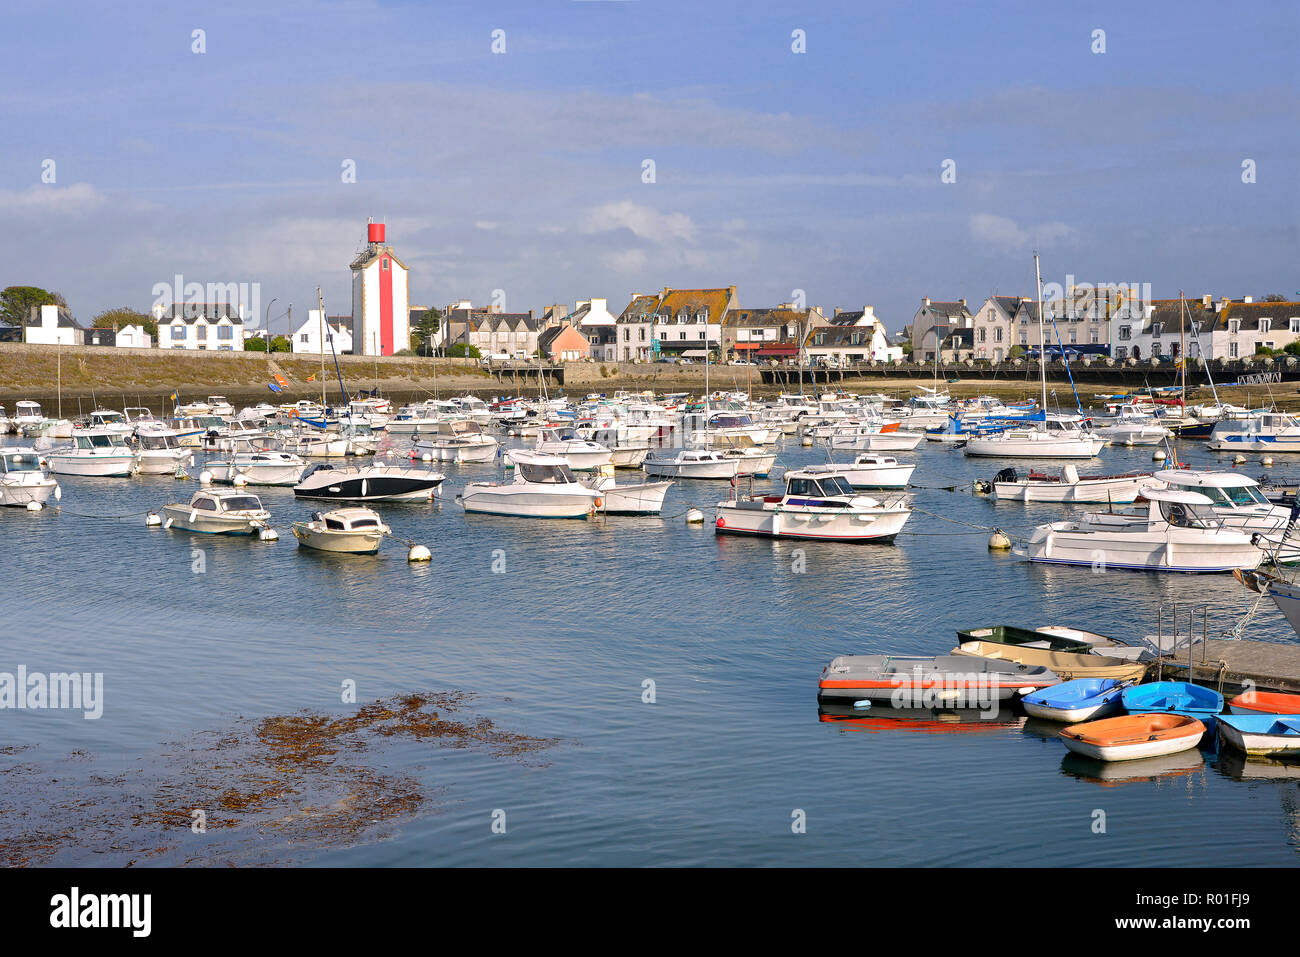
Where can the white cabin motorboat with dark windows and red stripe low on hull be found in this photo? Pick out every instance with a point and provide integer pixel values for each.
(818, 504)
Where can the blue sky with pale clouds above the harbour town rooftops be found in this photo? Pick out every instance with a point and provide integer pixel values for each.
(774, 171)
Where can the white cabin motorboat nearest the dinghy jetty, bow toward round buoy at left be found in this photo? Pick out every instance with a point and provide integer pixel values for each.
(1176, 532)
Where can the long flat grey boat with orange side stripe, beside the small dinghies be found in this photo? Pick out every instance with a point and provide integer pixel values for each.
(921, 682)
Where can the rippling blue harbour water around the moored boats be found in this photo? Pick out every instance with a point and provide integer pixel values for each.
(557, 629)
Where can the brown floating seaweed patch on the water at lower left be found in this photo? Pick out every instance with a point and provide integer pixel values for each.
(255, 794)
